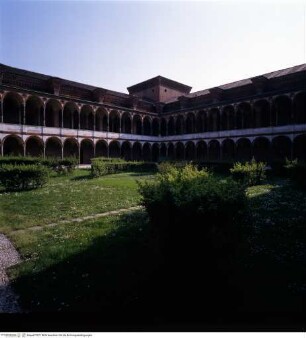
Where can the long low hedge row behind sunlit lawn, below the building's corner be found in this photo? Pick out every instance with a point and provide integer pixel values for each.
(100, 167)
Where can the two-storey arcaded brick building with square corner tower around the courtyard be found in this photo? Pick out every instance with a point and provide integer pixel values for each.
(263, 116)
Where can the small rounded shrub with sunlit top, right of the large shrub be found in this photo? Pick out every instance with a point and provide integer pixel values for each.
(249, 173)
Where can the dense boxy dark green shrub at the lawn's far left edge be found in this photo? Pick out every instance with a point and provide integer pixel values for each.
(25, 176)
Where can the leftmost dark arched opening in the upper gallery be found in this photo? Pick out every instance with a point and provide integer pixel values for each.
(12, 108)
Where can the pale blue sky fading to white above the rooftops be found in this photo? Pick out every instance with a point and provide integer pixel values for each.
(116, 44)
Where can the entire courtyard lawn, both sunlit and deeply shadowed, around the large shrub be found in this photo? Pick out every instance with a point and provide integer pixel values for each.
(108, 265)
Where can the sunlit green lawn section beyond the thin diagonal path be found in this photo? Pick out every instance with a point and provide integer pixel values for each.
(66, 197)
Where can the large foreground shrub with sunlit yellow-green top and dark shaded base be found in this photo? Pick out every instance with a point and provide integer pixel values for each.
(191, 210)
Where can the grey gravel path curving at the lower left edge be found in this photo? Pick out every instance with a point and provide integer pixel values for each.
(8, 257)
